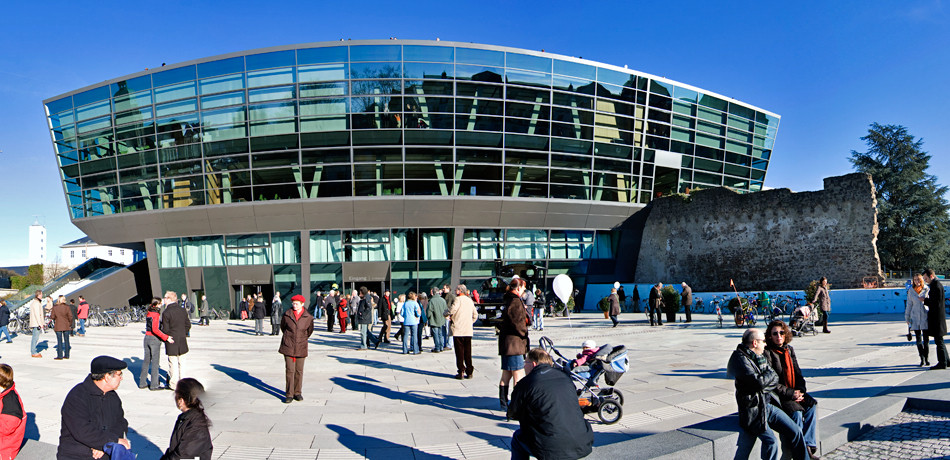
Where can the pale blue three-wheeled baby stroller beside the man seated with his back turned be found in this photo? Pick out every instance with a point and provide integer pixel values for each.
(608, 363)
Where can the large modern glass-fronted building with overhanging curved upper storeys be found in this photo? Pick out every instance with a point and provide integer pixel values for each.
(413, 122)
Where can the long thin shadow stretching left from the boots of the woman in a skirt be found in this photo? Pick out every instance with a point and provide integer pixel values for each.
(459, 404)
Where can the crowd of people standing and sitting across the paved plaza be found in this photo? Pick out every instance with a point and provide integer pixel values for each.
(771, 391)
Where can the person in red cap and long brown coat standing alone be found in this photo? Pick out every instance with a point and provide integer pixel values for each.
(297, 327)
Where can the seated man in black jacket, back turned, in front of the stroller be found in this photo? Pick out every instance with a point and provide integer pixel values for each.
(545, 404)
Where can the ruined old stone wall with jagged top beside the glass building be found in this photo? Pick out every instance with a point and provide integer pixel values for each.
(771, 240)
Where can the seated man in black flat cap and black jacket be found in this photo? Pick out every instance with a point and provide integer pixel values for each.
(92, 413)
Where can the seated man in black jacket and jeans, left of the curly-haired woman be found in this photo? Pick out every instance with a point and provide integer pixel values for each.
(759, 408)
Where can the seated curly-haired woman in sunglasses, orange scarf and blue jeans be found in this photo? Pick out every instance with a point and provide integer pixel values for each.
(791, 391)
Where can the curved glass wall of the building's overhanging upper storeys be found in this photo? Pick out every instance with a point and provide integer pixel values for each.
(398, 119)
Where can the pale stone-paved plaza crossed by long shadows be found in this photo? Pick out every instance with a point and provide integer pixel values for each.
(375, 404)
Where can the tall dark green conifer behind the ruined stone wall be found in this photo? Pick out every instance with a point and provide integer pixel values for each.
(913, 219)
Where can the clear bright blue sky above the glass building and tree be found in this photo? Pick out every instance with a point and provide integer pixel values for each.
(829, 69)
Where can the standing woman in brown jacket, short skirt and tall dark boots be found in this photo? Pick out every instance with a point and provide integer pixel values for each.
(512, 339)
